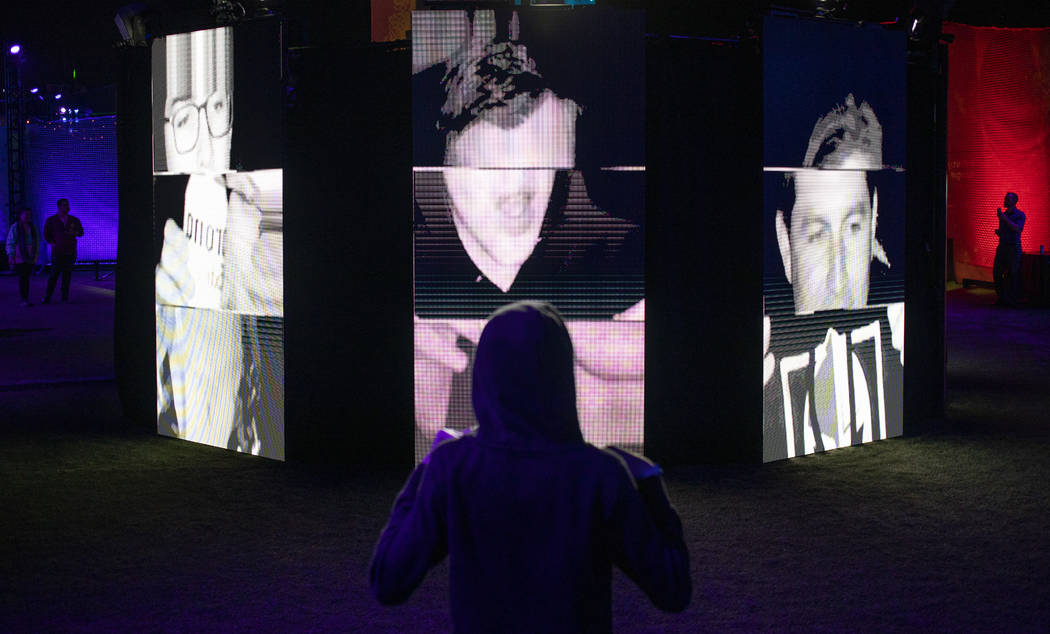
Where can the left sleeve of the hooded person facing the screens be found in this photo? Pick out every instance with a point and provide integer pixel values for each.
(415, 539)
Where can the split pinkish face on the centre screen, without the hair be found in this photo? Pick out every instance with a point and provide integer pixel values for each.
(500, 181)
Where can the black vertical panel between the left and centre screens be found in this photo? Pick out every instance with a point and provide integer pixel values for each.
(348, 257)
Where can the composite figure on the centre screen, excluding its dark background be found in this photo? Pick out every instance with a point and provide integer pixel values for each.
(510, 149)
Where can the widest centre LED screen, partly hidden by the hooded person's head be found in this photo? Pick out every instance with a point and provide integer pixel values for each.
(530, 184)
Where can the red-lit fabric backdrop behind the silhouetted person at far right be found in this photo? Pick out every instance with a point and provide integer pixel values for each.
(999, 139)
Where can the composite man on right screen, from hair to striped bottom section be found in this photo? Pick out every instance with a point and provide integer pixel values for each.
(828, 388)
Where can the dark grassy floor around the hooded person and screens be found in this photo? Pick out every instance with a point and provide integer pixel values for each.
(109, 527)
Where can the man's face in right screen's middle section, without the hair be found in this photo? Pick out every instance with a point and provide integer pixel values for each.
(831, 238)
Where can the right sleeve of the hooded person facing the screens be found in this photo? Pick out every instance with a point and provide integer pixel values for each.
(648, 543)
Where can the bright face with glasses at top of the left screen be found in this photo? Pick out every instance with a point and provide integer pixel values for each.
(198, 109)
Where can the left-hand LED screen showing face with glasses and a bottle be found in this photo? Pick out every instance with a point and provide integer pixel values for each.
(218, 222)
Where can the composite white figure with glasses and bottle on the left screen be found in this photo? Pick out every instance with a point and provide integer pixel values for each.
(222, 271)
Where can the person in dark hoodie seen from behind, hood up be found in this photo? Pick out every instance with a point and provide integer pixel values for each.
(532, 518)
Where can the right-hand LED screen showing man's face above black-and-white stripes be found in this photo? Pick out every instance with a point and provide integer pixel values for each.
(834, 192)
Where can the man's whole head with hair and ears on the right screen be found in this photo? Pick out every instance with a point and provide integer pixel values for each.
(828, 242)
